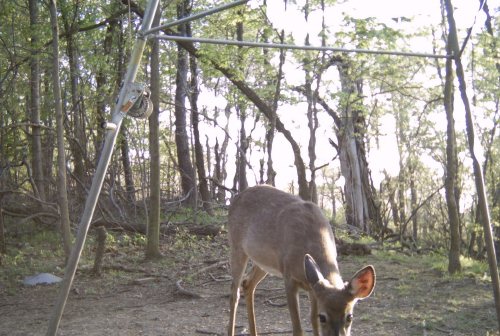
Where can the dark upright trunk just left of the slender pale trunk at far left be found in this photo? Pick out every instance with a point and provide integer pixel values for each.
(36, 141)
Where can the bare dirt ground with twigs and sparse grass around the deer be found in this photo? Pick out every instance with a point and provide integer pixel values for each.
(134, 297)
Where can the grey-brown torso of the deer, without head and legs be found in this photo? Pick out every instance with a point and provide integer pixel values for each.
(276, 230)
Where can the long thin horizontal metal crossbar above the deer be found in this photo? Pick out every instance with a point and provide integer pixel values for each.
(293, 46)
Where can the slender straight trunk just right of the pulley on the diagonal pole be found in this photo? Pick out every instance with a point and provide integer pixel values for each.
(153, 231)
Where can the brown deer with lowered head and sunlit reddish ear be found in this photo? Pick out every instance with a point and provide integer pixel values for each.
(288, 237)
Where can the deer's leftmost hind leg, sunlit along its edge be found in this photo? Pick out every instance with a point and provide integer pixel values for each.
(238, 265)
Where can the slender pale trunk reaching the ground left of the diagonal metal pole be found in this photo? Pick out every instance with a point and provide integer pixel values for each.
(61, 156)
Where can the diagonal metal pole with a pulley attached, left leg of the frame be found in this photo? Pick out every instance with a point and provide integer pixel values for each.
(102, 167)
